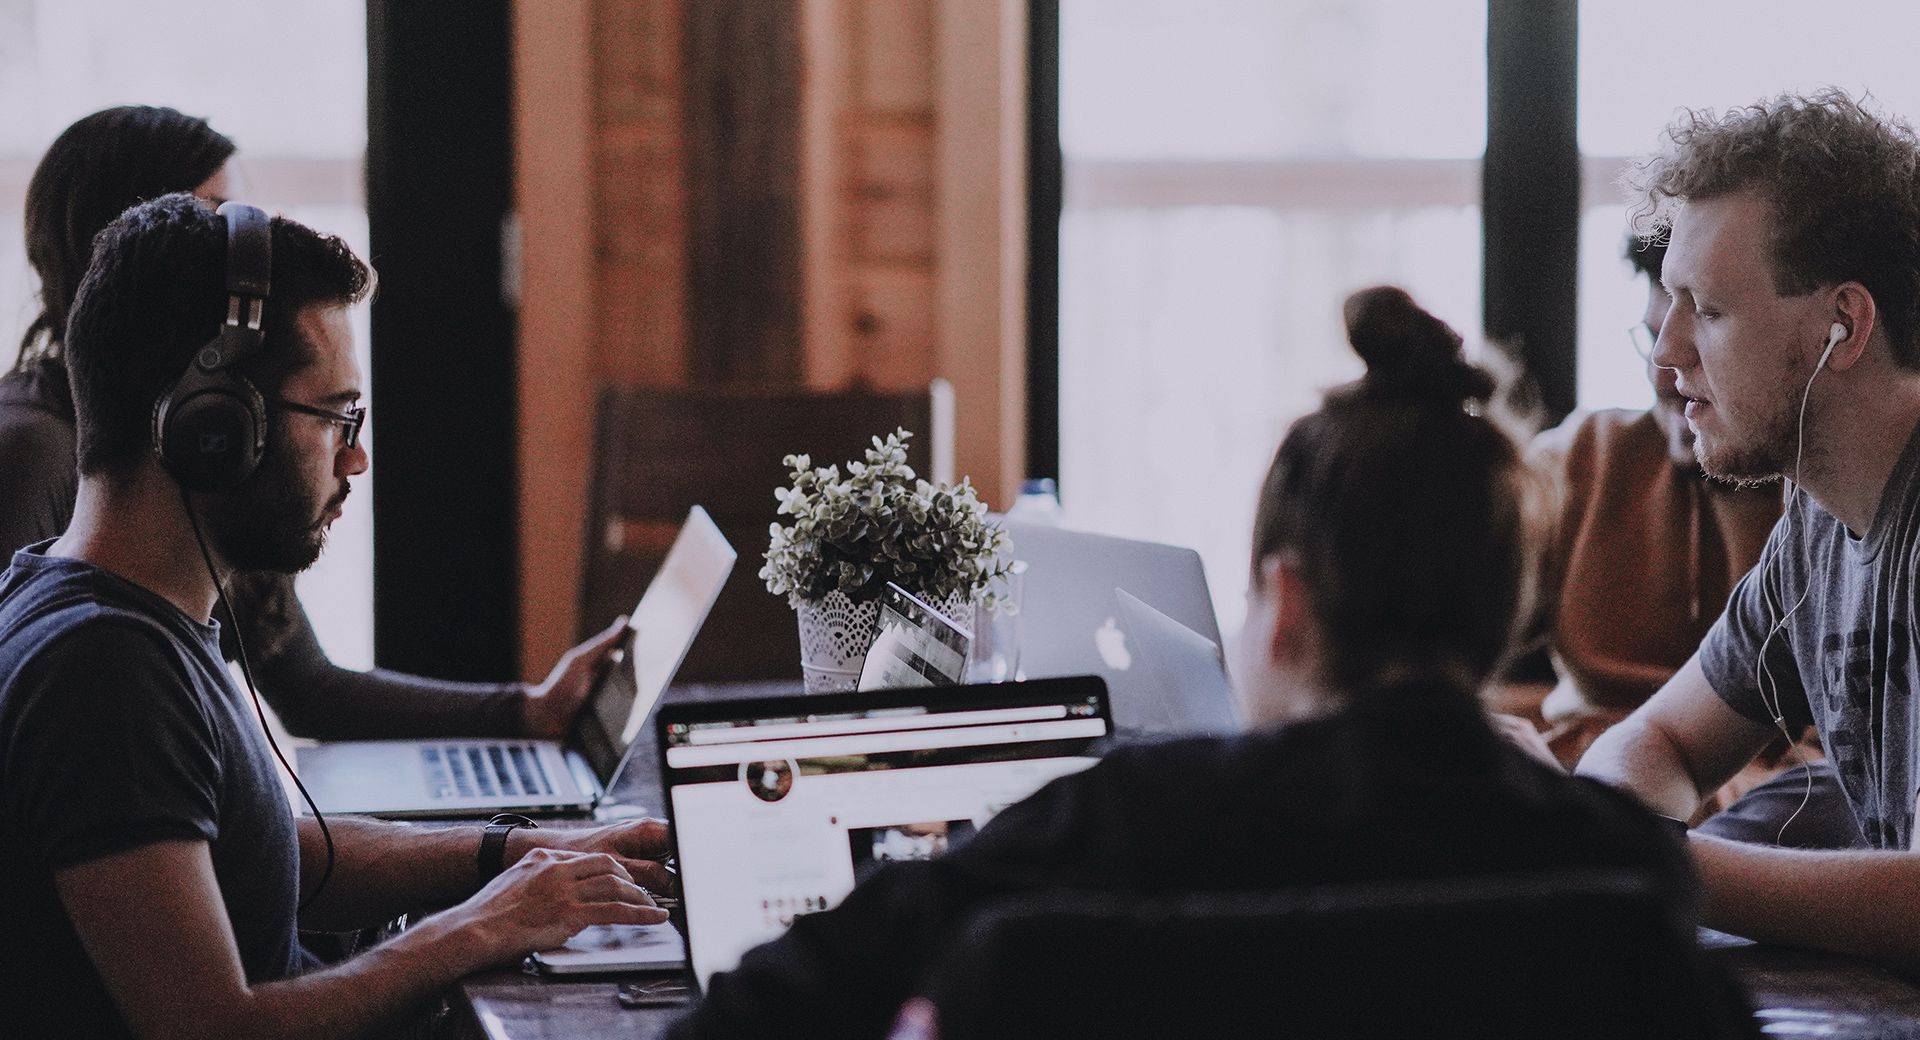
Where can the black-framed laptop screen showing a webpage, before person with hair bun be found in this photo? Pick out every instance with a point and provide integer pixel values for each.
(782, 805)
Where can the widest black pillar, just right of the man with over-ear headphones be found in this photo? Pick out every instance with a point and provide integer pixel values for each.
(439, 191)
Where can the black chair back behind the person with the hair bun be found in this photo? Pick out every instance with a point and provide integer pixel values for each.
(1560, 955)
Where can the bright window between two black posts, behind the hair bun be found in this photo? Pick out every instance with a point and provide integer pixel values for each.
(1234, 170)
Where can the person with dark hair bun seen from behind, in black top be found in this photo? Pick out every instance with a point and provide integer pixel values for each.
(1389, 561)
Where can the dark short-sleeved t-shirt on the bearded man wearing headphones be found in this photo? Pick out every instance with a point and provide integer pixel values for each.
(122, 728)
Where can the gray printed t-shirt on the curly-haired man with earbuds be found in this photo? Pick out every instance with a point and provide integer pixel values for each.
(1844, 659)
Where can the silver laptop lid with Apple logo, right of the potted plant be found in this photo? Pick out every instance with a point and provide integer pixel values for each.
(1072, 626)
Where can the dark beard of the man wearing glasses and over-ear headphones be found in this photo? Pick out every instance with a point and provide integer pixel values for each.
(270, 523)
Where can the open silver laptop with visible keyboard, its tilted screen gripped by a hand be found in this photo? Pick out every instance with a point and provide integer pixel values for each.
(487, 776)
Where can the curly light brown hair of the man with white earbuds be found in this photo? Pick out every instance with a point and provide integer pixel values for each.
(1842, 185)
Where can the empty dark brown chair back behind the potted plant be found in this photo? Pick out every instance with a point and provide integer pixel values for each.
(665, 450)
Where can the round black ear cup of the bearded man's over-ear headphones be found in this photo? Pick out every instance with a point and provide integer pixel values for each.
(210, 431)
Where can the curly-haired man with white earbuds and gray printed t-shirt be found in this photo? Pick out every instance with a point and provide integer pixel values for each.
(1794, 335)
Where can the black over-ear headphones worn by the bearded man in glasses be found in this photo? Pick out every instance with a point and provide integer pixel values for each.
(210, 429)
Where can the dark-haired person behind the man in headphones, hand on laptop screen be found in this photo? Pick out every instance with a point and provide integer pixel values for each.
(95, 170)
